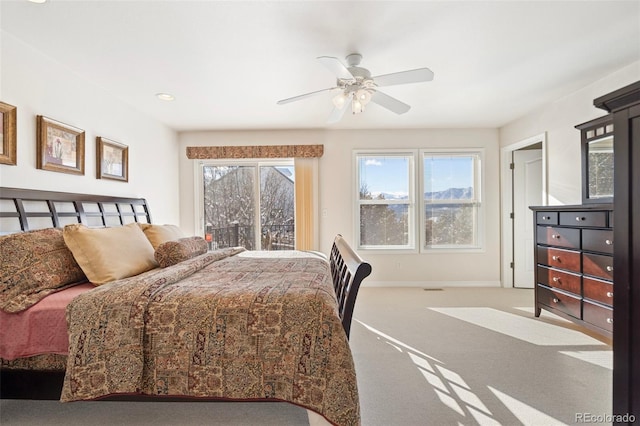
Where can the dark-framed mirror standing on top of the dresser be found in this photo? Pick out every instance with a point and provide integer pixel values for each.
(597, 160)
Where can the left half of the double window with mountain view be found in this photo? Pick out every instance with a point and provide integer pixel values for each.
(385, 200)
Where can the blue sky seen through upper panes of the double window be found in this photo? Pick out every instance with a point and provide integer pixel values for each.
(389, 174)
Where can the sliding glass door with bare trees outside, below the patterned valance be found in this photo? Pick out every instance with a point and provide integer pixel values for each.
(249, 204)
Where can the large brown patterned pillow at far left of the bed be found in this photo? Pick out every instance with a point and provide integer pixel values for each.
(35, 264)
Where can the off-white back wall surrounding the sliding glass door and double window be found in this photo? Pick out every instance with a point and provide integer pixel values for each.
(335, 186)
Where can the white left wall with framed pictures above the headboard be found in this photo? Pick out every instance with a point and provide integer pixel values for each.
(39, 85)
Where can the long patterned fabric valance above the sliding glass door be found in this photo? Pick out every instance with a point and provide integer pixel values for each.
(254, 151)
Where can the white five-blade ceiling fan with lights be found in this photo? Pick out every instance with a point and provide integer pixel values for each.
(357, 87)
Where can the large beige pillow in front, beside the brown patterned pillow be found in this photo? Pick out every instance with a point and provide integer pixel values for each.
(107, 254)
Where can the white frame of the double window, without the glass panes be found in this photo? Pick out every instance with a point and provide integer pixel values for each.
(416, 201)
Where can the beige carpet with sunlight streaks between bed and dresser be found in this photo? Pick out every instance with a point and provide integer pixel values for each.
(463, 357)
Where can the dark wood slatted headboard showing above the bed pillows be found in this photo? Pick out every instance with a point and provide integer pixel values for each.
(27, 209)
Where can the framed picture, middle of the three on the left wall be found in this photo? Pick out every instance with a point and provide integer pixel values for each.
(60, 147)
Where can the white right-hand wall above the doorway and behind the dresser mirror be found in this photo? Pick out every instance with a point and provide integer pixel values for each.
(558, 120)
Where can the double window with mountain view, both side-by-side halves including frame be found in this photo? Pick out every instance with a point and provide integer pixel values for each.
(447, 189)
